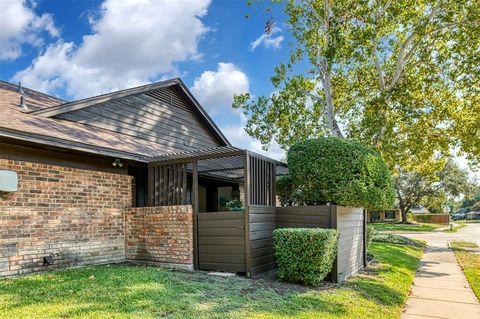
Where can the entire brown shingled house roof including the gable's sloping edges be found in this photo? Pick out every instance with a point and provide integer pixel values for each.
(38, 125)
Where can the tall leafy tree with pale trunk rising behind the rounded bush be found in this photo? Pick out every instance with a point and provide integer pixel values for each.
(399, 76)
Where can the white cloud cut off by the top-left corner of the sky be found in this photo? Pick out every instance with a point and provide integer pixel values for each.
(19, 25)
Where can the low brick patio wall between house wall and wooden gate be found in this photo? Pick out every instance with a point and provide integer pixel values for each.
(160, 234)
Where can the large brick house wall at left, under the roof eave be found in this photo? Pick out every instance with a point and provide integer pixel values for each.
(78, 214)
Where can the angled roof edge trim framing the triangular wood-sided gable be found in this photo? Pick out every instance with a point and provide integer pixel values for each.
(80, 104)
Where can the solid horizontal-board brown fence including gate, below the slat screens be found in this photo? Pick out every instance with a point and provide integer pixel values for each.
(222, 244)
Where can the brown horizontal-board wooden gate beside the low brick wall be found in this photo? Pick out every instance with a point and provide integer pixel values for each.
(221, 241)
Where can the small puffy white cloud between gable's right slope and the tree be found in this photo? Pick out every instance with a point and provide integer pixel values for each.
(215, 89)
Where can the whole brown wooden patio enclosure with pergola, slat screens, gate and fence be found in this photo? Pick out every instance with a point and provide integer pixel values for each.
(242, 241)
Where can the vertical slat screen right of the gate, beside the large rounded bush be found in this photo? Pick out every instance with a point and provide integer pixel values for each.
(262, 182)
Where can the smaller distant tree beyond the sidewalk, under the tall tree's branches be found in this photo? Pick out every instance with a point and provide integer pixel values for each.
(412, 187)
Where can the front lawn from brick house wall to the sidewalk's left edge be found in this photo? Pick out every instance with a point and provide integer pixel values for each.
(122, 291)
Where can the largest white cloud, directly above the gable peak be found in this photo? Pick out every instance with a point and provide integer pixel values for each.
(132, 43)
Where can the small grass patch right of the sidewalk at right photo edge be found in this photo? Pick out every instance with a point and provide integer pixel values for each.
(469, 261)
